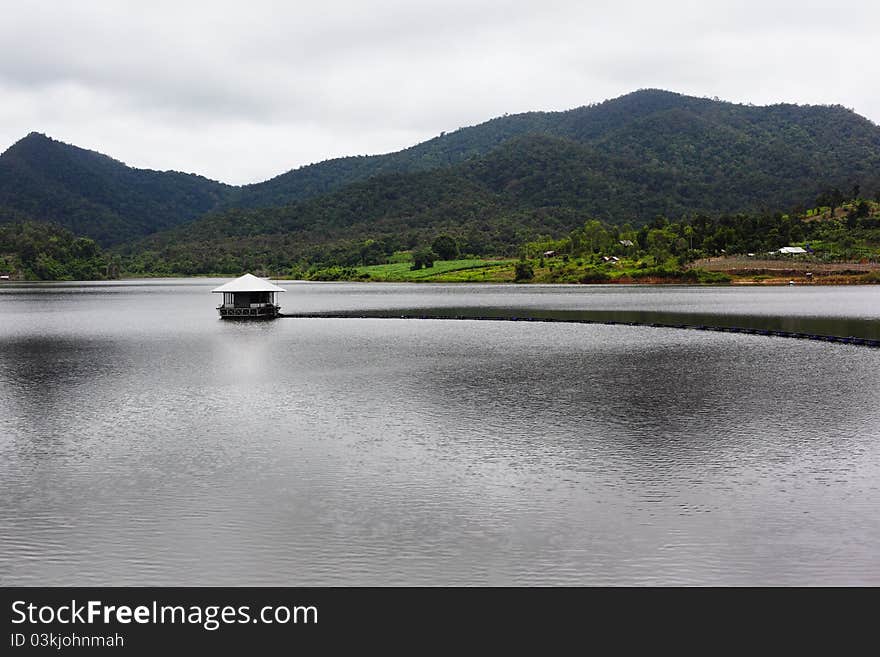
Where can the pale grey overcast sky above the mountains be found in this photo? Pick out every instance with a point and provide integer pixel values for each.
(243, 91)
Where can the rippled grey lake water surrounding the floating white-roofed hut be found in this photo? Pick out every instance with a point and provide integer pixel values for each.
(145, 441)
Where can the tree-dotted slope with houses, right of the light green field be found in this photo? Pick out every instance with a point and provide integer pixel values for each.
(666, 251)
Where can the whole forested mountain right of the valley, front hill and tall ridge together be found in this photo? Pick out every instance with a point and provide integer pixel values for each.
(628, 160)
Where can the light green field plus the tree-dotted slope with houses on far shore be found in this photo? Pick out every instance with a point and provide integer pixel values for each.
(665, 251)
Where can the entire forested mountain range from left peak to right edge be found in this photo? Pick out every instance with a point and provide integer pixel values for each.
(629, 159)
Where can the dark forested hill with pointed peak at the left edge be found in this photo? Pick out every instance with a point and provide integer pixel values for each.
(94, 195)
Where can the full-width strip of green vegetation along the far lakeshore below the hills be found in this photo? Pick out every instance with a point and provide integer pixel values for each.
(595, 252)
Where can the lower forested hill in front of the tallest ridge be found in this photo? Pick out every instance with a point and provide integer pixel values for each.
(530, 186)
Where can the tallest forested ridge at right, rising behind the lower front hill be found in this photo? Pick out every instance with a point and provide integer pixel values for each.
(772, 156)
